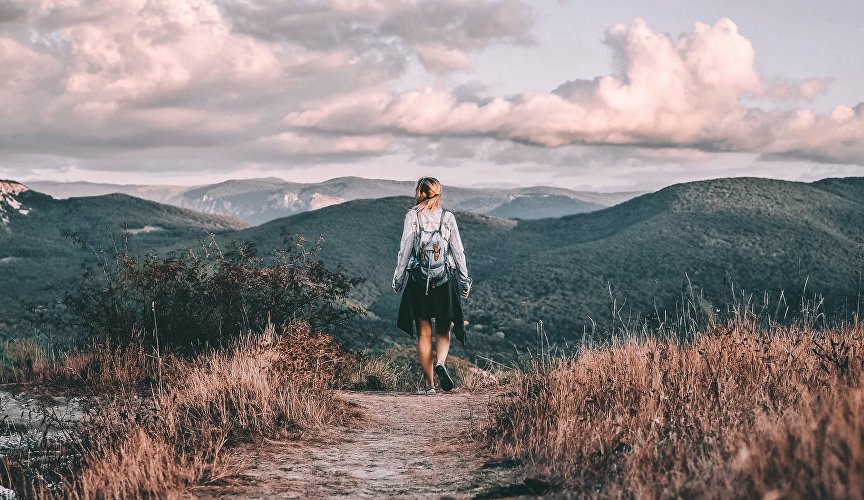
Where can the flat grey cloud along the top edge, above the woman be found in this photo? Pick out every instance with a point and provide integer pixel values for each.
(376, 25)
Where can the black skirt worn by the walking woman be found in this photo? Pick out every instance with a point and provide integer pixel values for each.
(443, 303)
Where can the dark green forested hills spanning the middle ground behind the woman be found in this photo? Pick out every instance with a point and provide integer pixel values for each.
(673, 255)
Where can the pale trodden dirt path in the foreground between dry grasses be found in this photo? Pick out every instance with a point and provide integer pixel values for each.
(406, 446)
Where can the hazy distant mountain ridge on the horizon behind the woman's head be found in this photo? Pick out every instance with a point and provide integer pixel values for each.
(261, 200)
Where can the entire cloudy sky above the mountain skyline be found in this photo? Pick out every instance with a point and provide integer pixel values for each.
(589, 95)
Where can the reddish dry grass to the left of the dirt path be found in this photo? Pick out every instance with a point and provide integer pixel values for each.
(157, 443)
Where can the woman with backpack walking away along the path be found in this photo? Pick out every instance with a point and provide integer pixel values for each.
(431, 268)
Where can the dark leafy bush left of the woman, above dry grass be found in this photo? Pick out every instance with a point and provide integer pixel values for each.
(205, 296)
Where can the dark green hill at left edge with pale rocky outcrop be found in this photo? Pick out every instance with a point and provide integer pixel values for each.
(34, 255)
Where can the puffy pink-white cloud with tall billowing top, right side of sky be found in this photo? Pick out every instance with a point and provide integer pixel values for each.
(684, 93)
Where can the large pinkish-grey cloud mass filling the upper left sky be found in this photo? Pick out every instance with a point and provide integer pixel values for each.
(86, 77)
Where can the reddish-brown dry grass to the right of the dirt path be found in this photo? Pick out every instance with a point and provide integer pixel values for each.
(737, 413)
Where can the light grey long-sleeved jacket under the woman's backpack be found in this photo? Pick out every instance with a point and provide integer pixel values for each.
(429, 221)
